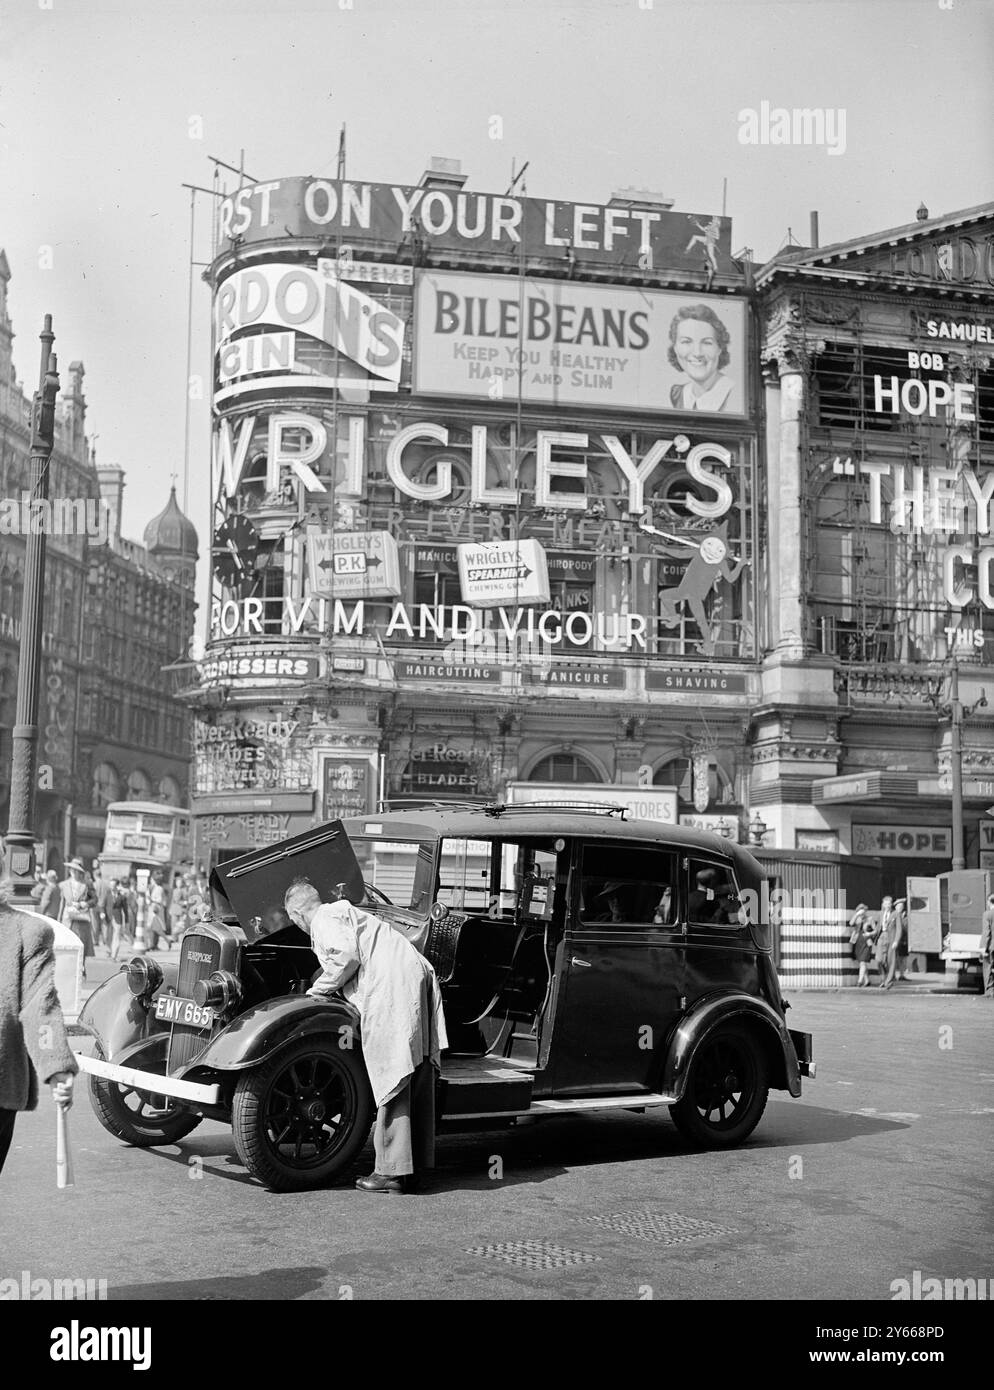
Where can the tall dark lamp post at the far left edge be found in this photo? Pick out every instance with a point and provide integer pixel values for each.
(22, 828)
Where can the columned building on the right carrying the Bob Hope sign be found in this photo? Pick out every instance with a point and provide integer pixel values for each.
(879, 404)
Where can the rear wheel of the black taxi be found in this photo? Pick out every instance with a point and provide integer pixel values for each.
(726, 1090)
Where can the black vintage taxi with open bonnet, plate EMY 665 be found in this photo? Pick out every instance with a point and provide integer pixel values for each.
(589, 963)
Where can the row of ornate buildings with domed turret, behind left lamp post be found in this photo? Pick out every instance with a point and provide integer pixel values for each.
(116, 614)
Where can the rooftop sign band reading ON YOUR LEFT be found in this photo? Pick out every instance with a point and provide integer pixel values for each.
(341, 211)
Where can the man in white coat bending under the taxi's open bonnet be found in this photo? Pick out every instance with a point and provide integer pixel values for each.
(400, 1003)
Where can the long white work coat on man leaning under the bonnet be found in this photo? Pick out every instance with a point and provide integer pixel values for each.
(390, 983)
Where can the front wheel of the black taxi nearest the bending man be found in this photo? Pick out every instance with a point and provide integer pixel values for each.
(284, 1109)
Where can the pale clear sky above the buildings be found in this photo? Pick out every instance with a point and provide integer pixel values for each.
(99, 106)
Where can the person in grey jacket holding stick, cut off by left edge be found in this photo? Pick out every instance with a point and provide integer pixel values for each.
(34, 1046)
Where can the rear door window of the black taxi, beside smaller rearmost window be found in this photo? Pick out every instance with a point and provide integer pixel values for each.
(628, 886)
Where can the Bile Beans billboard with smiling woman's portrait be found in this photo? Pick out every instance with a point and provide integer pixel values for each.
(562, 343)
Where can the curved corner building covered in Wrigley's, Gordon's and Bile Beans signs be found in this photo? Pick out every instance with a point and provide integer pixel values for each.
(487, 512)
